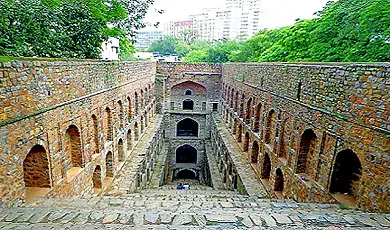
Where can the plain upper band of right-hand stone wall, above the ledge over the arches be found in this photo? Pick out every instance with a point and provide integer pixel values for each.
(354, 92)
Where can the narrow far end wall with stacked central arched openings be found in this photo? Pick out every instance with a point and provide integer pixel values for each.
(198, 84)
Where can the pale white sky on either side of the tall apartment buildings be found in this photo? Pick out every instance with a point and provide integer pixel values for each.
(275, 13)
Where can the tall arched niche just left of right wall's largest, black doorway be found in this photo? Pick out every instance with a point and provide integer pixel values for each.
(306, 146)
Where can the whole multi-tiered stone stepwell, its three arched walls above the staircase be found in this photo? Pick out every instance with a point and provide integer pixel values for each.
(314, 133)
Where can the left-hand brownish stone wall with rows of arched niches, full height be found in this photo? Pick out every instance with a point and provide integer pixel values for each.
(42, 100)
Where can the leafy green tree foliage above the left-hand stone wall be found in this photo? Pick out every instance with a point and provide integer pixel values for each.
(67, 28)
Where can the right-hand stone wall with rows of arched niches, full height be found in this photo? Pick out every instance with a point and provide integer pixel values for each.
(342, 107)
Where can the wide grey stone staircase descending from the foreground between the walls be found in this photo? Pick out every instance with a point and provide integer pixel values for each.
(201, 207)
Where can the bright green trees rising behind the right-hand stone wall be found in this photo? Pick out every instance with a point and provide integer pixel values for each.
(344, 31)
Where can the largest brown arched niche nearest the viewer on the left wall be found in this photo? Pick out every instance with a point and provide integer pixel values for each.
(36, 173)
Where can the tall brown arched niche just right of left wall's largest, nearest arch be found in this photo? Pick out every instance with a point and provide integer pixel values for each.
(73, 147)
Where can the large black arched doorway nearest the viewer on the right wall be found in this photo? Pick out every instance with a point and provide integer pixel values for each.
(346, 173)
